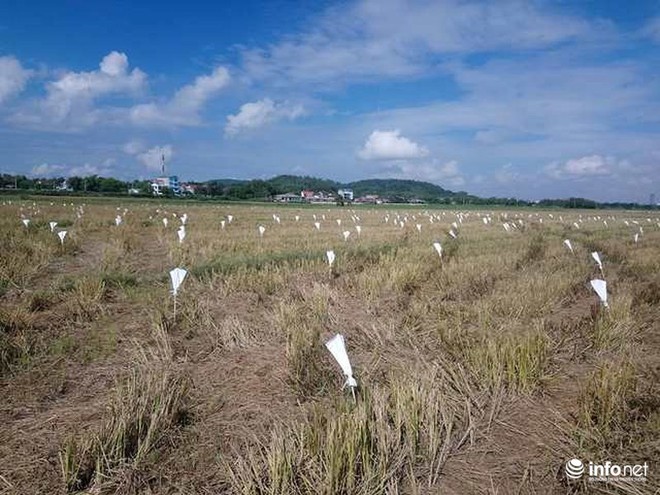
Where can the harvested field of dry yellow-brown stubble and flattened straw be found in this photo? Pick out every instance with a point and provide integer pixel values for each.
(238, 394)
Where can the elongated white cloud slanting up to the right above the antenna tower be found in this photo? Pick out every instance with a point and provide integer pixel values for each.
(184, 108)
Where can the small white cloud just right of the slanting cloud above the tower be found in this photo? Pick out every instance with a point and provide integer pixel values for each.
(259, 113)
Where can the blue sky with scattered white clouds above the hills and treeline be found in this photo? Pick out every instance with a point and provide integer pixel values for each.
(529, 99)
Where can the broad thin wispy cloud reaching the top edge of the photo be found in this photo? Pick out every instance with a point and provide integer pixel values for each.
(394, 38)
